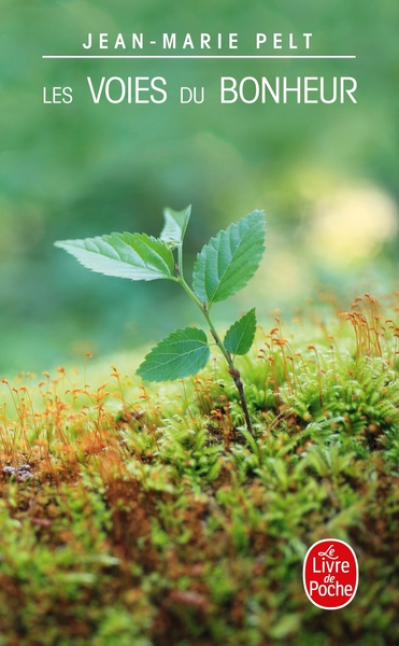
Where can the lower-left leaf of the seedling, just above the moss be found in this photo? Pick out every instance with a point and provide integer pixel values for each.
(182, 353)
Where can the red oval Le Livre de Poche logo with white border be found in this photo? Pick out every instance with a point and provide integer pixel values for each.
(330, 574)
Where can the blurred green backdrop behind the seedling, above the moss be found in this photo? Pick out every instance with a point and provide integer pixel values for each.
(326, 175)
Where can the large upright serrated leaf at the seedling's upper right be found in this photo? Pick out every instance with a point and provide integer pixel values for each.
(227, 263)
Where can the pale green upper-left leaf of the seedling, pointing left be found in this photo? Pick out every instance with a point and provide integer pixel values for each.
(124, 255)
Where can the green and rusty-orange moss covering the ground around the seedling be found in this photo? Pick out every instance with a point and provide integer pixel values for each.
(137, 515)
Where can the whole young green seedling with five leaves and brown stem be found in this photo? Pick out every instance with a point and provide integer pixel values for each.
(223, 267)
